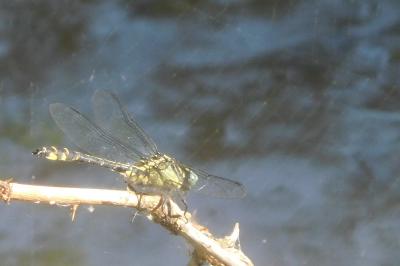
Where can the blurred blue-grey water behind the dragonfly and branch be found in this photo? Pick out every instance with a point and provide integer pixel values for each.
(298, 100)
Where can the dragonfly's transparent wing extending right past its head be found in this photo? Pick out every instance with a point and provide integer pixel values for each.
(217, 186)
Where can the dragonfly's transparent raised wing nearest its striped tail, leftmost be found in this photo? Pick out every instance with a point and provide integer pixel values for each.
(90, 137)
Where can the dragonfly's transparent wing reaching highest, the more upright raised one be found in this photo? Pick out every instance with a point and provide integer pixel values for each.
(113, 118)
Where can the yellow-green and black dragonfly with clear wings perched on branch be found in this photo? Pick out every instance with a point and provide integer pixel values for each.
(116, 141)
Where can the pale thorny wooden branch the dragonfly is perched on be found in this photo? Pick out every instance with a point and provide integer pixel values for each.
(224, 251)
